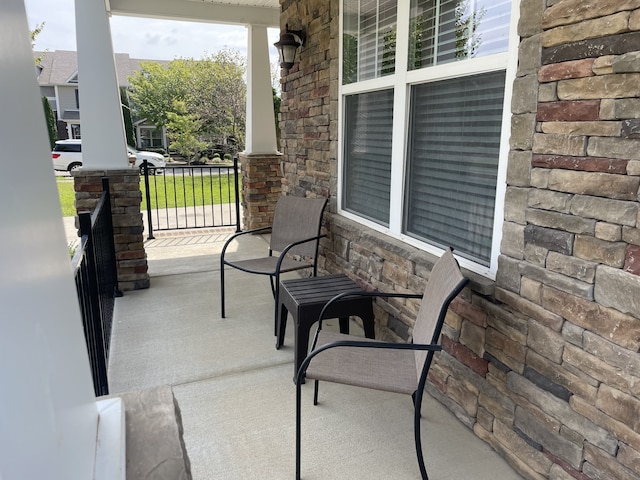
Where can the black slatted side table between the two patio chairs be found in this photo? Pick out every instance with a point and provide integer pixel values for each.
(305, 297)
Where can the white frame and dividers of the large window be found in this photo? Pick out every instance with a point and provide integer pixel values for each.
(401, 82)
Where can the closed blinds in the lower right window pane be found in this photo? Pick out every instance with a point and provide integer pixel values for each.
(453, 160)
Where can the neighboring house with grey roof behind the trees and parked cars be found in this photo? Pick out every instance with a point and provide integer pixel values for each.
(58, 81)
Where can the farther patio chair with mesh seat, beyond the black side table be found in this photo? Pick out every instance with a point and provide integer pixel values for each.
(295, 231)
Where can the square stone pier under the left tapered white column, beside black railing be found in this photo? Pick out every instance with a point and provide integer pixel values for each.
(128, 228)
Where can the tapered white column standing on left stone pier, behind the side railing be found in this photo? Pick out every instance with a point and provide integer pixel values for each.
(103, 137)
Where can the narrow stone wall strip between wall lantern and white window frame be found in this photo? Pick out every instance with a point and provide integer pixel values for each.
(309, 110)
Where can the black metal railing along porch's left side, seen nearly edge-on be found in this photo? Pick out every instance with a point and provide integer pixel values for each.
(94, 266)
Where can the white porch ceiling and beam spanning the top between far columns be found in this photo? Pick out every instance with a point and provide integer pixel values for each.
(239, 12)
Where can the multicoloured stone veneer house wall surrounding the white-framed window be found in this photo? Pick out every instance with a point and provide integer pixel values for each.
(543, 364)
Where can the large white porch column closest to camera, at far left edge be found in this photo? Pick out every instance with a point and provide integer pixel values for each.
(48, 413)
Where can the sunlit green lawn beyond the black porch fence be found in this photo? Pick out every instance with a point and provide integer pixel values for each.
(166, 192)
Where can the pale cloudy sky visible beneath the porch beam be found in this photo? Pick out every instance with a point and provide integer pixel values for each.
(144, 38)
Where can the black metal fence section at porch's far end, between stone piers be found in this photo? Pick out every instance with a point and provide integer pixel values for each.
(192, 196)
